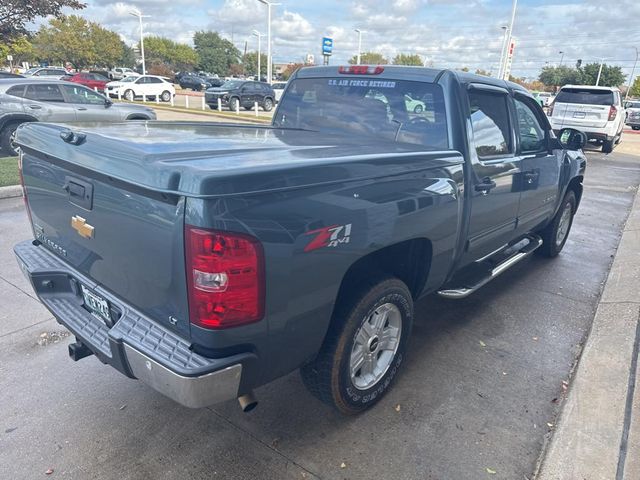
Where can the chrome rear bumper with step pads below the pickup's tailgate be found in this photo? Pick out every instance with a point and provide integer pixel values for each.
(135, 345)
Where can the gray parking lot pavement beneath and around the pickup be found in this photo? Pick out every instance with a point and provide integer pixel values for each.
(477, 399)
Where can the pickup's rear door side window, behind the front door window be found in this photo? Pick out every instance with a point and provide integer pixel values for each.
(490, 121)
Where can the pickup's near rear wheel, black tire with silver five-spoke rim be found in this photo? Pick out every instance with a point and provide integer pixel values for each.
(364, 348)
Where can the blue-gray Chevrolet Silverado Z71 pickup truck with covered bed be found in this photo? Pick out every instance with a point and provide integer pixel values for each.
(209, 259)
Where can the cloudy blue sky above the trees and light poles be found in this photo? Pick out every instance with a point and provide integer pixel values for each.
(445, 33)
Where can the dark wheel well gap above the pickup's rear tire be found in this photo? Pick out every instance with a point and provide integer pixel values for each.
(409, 261)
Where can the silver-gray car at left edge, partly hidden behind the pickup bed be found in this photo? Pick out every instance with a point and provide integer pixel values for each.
(26, 100)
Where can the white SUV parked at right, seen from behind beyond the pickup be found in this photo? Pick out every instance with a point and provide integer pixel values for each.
(596, 111)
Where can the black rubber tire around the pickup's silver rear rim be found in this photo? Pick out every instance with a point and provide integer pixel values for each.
(328, 377)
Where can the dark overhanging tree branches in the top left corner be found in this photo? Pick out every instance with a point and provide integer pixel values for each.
(16, 14)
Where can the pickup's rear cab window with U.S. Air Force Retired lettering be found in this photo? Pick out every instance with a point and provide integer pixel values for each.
(395, 110)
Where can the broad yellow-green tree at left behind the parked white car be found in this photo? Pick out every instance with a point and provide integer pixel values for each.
(78, 41)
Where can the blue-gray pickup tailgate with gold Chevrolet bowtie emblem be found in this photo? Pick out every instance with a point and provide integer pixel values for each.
(127, 240)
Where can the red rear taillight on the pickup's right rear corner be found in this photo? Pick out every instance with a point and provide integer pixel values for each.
(225, 278)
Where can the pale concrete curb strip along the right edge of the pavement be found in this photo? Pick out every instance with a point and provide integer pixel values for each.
(598, 432)
